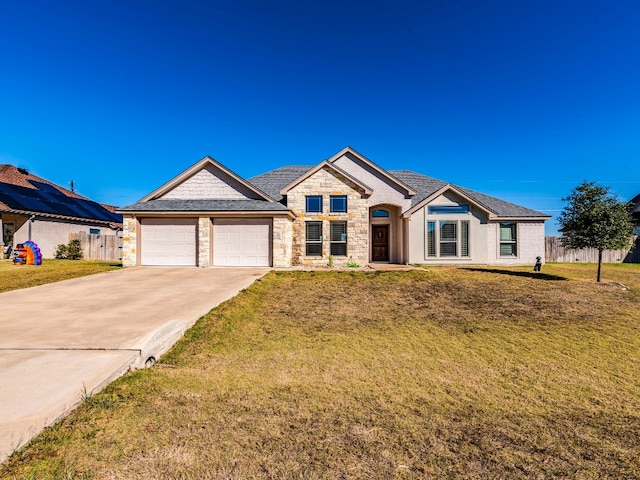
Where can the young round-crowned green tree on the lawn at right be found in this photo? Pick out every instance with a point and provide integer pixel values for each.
(594, 218)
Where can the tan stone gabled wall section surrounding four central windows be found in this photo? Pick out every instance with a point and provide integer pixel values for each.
(327, 182)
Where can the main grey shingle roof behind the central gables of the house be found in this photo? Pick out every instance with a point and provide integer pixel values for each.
(272, 182)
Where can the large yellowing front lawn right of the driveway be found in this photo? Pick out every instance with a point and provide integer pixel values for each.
(439, 373)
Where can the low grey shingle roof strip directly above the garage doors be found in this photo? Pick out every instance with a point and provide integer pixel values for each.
(205, 205)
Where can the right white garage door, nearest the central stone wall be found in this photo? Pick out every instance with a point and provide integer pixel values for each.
(242, 242)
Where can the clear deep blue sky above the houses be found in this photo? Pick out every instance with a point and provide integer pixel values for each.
(522, 100)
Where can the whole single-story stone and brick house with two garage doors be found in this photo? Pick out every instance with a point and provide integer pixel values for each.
(346, 207)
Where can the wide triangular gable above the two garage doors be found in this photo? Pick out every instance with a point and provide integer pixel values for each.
(207, 179)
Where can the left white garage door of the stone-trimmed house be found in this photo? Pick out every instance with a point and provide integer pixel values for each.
(168, 241)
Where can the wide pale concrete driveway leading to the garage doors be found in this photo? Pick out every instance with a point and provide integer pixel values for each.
(61, 339)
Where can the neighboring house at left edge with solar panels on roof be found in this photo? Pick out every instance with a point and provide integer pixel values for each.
(32, 208)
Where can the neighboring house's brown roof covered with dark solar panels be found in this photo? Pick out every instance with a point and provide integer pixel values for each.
(22, 192)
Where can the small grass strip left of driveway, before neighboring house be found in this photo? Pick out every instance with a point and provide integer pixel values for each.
(14, 277)
